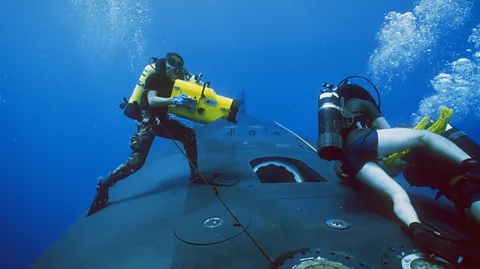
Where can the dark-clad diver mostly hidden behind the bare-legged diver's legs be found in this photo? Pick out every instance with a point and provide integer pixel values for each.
(422, 168)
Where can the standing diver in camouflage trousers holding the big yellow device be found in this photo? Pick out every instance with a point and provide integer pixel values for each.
(150, 110)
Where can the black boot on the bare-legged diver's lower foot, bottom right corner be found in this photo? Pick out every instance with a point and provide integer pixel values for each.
(455, 252)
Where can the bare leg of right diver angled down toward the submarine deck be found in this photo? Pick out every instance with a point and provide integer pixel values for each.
(374, 176)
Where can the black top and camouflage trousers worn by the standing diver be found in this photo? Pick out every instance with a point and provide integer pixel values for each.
(156, 123)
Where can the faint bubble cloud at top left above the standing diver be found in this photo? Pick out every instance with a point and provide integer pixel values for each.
(108, 26)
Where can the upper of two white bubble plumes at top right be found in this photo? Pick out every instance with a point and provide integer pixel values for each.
(405, 38)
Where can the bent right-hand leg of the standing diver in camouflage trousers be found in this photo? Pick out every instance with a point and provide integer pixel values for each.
(173, 129)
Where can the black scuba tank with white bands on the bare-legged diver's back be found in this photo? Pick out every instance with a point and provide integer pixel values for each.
(330, 121)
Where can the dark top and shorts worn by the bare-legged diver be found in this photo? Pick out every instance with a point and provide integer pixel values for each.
(361, 141)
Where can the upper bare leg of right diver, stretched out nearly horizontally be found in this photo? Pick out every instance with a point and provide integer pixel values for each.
(400, 139)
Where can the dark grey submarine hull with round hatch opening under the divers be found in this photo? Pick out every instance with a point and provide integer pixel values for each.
(270, 202)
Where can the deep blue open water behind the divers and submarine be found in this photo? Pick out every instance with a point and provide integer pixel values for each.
(66, 65)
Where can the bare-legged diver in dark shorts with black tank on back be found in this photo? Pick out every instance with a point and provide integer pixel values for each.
(353, 131)
